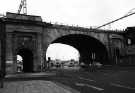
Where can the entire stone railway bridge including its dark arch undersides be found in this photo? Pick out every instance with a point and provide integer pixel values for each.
(30, 37)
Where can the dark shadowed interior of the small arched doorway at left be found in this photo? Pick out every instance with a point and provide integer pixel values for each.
(27, 59)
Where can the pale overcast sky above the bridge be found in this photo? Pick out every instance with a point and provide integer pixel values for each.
(84, 13)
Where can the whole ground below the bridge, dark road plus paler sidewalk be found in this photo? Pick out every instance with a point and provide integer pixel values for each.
(106, 80)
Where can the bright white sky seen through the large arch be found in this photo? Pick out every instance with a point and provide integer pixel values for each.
(59, 51)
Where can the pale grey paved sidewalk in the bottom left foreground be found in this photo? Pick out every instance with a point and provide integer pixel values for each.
(35, 86)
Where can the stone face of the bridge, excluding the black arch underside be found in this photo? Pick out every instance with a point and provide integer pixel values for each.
(27, 32)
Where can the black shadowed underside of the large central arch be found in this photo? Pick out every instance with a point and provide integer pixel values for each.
(86, 46)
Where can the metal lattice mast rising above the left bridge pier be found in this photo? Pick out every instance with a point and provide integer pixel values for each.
(23, 7)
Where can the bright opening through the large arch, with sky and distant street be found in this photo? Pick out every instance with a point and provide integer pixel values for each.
(62, 56)
